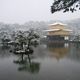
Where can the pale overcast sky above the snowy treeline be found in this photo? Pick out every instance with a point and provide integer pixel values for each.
(21, 11)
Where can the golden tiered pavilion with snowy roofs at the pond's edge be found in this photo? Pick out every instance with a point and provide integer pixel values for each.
(58, 32)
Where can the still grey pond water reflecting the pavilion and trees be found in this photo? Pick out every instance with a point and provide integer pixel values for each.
(51, 61)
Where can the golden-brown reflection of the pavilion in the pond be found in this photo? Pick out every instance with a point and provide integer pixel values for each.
(58, 50)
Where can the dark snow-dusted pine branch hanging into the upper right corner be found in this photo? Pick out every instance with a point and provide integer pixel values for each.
(65, 5)
